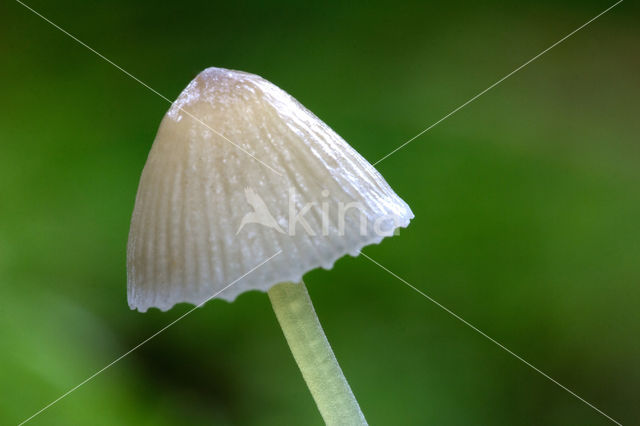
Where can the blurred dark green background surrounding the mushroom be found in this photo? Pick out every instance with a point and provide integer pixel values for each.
(527, 204)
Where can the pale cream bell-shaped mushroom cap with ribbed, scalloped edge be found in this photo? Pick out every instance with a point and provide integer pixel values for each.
(235, 160)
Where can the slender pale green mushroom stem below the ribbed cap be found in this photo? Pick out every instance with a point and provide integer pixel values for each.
(313, 354)
